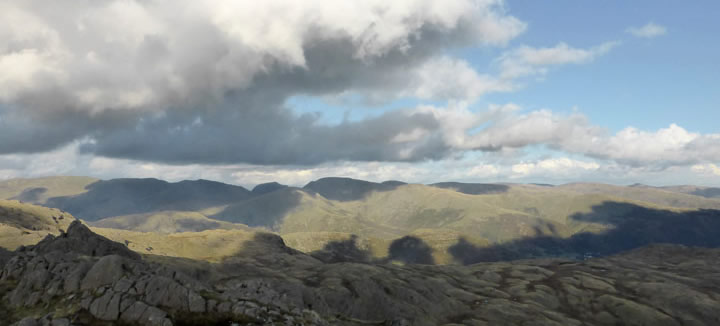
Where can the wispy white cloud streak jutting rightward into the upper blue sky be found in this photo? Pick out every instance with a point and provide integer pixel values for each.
(528, 61)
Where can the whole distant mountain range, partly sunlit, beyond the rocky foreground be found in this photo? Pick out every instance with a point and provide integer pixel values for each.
(343, 217)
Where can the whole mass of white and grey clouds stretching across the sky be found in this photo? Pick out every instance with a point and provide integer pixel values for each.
(142, 85)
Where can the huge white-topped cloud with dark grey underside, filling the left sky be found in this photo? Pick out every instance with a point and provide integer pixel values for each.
(208, 83)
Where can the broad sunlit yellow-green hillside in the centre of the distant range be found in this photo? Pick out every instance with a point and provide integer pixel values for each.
(519, 212)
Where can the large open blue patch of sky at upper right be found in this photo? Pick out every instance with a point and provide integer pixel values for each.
(647, 83)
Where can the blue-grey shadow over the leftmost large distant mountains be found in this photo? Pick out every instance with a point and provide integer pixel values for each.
(118, 197)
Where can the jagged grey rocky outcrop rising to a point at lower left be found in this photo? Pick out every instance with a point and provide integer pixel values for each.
(89, 288)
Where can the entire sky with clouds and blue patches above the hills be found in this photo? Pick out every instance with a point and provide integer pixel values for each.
(423, 91)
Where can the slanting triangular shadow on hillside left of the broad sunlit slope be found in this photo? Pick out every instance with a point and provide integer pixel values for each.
(267, 210)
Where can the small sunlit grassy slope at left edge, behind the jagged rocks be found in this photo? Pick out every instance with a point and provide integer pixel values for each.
(24, 224)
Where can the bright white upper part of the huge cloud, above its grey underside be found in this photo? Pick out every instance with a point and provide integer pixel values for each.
(135, 54)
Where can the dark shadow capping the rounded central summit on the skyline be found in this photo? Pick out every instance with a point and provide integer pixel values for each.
(346, 189)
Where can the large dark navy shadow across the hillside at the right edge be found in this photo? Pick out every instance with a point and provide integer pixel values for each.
(632, 226)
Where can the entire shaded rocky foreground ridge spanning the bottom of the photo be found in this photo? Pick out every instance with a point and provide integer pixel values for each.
(80, 278)
